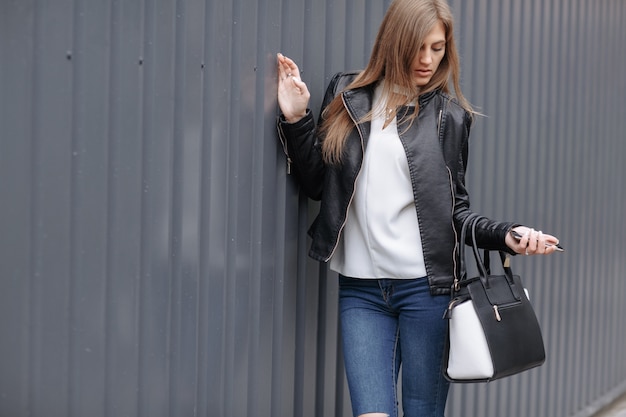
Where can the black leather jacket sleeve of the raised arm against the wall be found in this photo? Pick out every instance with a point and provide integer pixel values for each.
(303, 147)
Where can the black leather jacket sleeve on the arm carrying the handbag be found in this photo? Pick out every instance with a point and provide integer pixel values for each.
(490, 234)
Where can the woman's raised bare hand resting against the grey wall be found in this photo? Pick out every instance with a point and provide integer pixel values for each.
(293, 95)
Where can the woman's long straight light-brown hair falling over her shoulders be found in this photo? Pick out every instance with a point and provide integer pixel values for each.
(400, 37)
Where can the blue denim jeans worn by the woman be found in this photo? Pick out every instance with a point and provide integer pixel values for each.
(386, 323)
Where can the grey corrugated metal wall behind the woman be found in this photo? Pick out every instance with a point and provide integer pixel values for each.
(153, 249)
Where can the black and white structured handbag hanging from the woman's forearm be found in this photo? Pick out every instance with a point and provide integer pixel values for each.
(493, 331)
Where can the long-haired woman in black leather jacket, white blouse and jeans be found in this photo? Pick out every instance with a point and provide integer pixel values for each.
(387, 160)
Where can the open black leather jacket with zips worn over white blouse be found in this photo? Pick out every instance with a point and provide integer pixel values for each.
(436, 145)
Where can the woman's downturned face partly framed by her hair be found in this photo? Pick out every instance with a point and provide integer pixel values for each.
(429, 57)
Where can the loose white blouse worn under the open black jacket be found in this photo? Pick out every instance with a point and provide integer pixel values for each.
(381, 237)
